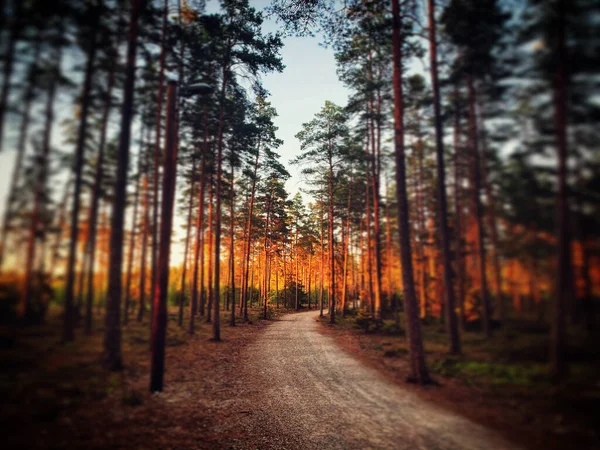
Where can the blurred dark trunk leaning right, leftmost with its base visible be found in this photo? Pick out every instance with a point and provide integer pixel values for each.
(40, 191)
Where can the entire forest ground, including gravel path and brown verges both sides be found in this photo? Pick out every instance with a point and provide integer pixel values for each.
(289, 383)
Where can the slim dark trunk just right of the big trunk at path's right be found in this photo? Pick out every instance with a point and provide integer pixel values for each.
(441, 181)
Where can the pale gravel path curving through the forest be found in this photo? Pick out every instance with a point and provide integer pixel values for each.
(315, 395)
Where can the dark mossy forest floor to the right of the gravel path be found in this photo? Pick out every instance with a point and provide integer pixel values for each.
(501, 383)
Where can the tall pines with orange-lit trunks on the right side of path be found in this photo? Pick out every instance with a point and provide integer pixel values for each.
(484, 207)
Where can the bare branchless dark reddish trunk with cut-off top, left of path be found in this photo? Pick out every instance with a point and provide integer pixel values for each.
(160, 292)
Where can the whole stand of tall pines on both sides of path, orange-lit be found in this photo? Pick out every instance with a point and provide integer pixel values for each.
(433, 193)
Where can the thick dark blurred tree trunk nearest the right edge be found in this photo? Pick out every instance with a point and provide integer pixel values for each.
(564, 274)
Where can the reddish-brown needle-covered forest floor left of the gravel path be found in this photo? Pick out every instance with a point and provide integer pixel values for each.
(57, 396)
